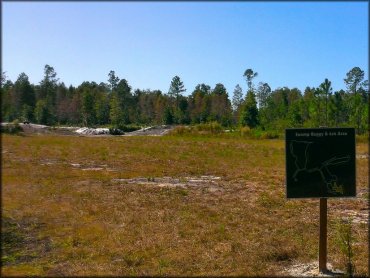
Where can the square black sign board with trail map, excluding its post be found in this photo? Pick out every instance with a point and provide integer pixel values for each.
(320, 162)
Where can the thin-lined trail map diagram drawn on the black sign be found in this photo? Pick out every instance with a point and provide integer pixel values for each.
(304, 154)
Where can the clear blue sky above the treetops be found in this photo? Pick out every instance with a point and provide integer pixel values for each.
(288, 43)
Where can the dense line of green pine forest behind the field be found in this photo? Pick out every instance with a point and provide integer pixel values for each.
(116, 104)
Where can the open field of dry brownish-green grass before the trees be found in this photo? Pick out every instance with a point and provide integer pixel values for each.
(68, 208)
